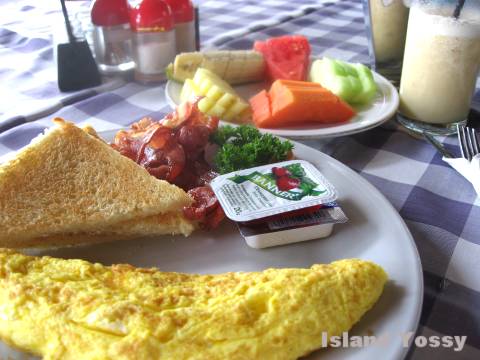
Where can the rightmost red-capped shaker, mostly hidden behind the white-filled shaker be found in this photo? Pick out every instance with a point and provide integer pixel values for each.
(184, 17)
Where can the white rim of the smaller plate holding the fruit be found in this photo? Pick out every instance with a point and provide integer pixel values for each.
(322, 132)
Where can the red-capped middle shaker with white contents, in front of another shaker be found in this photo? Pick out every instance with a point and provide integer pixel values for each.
(153, 39)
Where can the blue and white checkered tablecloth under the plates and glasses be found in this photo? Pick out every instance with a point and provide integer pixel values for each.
(438, 205)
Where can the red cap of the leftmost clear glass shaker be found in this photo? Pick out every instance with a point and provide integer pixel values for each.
(110, 12)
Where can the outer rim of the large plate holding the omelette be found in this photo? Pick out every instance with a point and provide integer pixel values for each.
(300, 149)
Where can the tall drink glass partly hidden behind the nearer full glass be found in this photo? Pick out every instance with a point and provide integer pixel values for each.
(386, 22)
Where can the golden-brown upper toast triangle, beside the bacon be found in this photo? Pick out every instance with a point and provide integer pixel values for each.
(67, 181)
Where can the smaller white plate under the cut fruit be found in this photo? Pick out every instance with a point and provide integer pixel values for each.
(381, 109)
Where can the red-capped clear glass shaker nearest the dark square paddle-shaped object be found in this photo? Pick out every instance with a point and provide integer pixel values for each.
(112, 40)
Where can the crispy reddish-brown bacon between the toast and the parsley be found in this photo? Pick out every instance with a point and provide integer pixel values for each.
(173, 149)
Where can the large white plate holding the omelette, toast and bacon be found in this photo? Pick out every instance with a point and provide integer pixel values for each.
(375, 232)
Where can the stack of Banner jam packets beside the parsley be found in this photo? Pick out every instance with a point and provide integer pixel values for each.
(280, 203)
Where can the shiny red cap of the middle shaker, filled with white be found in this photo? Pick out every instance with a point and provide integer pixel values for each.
(151, 16)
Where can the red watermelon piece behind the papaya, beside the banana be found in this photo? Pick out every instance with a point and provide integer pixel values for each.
(287, 57)
